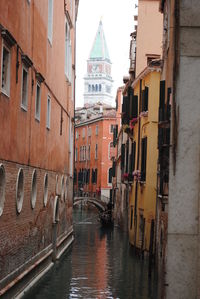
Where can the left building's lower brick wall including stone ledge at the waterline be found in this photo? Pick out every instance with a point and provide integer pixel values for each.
(26, 245)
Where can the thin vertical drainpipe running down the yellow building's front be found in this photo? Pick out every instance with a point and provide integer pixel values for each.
(138, 160)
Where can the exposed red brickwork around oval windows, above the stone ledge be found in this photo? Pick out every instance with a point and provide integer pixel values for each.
(24, 235)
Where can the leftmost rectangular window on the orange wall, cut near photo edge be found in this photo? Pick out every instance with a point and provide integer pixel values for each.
(5, 71)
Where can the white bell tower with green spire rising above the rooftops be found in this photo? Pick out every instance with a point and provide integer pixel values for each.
(98, 80)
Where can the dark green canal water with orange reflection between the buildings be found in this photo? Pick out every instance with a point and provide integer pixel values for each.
(100, 264)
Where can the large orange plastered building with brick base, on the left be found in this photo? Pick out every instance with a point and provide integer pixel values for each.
(37, 50)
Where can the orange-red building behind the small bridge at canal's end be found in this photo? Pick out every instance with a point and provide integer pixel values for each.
(94, 150)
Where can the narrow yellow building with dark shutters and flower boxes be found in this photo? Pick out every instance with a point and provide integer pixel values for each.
(142, 197)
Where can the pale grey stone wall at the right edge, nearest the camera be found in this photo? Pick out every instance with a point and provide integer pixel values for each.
(183, 265)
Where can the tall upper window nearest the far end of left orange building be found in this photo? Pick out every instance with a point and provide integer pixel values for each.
(68, 52)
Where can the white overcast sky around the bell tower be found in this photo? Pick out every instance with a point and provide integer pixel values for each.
(118, 22)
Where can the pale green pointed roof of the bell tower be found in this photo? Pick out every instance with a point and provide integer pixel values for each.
(99, 48)
